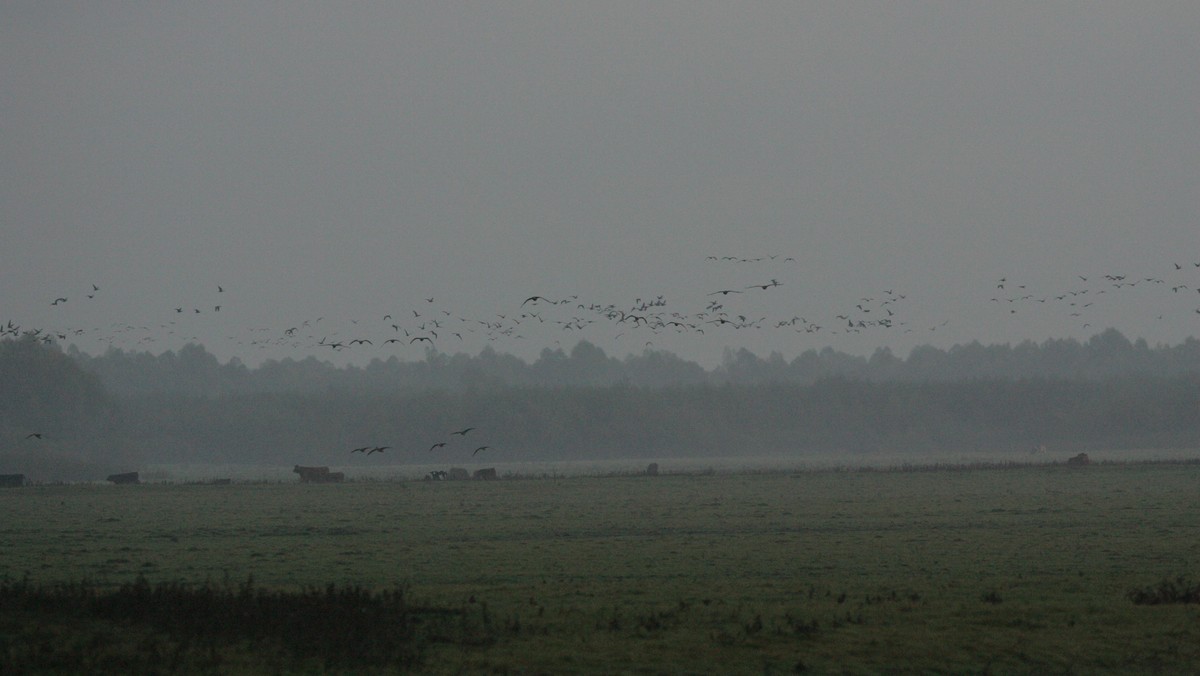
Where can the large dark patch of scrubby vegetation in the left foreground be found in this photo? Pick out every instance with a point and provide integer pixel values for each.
(339, 627)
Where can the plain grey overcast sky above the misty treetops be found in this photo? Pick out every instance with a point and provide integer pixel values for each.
(332, 164)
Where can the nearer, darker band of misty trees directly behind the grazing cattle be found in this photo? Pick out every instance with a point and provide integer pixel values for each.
(835, 415)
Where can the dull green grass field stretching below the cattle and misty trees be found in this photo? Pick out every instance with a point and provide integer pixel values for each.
(1023, 570)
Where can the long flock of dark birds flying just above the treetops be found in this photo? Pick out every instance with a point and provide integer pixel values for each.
(716, 312)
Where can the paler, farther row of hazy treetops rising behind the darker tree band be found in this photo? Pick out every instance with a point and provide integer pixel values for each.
(195, 372)
